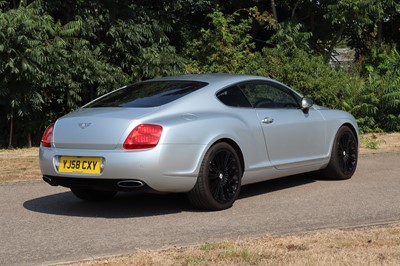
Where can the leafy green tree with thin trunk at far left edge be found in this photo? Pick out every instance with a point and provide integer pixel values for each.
(27, 39)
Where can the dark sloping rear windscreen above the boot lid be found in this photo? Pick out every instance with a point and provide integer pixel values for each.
(148, 94)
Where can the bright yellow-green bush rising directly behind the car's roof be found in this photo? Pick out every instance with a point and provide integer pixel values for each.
(226, 46)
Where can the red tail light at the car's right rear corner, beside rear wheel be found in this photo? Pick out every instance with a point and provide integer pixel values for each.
(144, 136)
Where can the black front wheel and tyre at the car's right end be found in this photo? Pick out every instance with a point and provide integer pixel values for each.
(344, 156)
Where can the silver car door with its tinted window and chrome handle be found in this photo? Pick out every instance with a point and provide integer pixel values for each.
(293, 137)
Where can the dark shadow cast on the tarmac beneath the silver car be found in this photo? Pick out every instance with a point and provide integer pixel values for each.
(138, 204)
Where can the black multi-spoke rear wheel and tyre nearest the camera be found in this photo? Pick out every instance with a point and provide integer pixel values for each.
(219, 180)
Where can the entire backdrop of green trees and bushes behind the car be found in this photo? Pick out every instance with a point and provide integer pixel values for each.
(57, 55)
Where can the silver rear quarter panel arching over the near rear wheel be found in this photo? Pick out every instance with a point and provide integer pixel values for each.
(186, 122)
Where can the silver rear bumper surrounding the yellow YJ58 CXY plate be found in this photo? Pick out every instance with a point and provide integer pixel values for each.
(167, 168)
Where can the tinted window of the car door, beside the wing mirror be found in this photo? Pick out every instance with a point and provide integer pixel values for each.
(269, 95)
